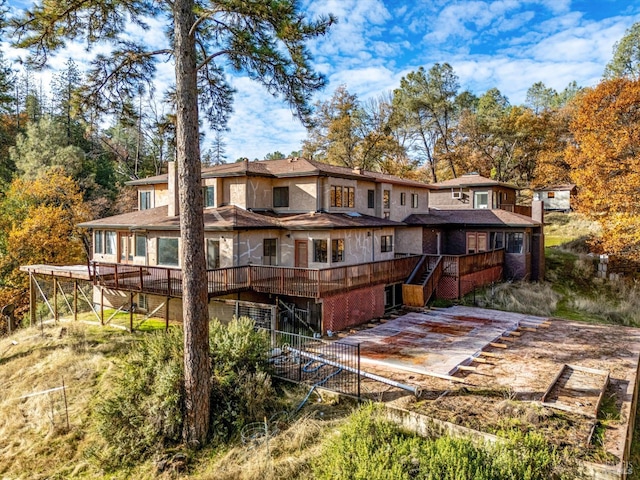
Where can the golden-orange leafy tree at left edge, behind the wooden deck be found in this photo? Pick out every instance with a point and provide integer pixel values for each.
(38, 221)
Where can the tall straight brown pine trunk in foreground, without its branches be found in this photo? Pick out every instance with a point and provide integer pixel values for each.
(194, 275)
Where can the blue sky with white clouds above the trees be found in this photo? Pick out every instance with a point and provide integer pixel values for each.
(508, 44)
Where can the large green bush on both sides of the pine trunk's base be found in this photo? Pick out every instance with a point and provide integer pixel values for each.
(143, 411)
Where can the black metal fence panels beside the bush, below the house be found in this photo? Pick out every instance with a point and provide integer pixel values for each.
(316, 362)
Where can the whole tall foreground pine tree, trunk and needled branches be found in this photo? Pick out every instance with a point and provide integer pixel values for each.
(265, 40)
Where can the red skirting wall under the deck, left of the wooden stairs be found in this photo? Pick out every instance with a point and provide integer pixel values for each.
(352, 308)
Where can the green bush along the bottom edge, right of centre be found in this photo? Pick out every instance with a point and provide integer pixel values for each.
(369, 447)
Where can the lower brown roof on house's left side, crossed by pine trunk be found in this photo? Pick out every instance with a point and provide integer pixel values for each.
(223, 218)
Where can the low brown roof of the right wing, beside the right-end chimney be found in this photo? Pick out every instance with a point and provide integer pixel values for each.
(475, 217)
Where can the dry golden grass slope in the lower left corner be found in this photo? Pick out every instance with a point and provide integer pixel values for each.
(34, 439)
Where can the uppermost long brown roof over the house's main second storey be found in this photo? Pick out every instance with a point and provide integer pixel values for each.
(287, 168)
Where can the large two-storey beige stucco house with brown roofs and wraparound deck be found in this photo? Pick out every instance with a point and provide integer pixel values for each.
(299, 242)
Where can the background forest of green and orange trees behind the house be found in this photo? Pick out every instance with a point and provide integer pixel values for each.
(64, 160)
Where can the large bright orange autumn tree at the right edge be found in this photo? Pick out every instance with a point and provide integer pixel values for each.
(605, 161)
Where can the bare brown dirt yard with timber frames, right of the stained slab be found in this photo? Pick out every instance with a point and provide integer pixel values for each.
(503, 388)
